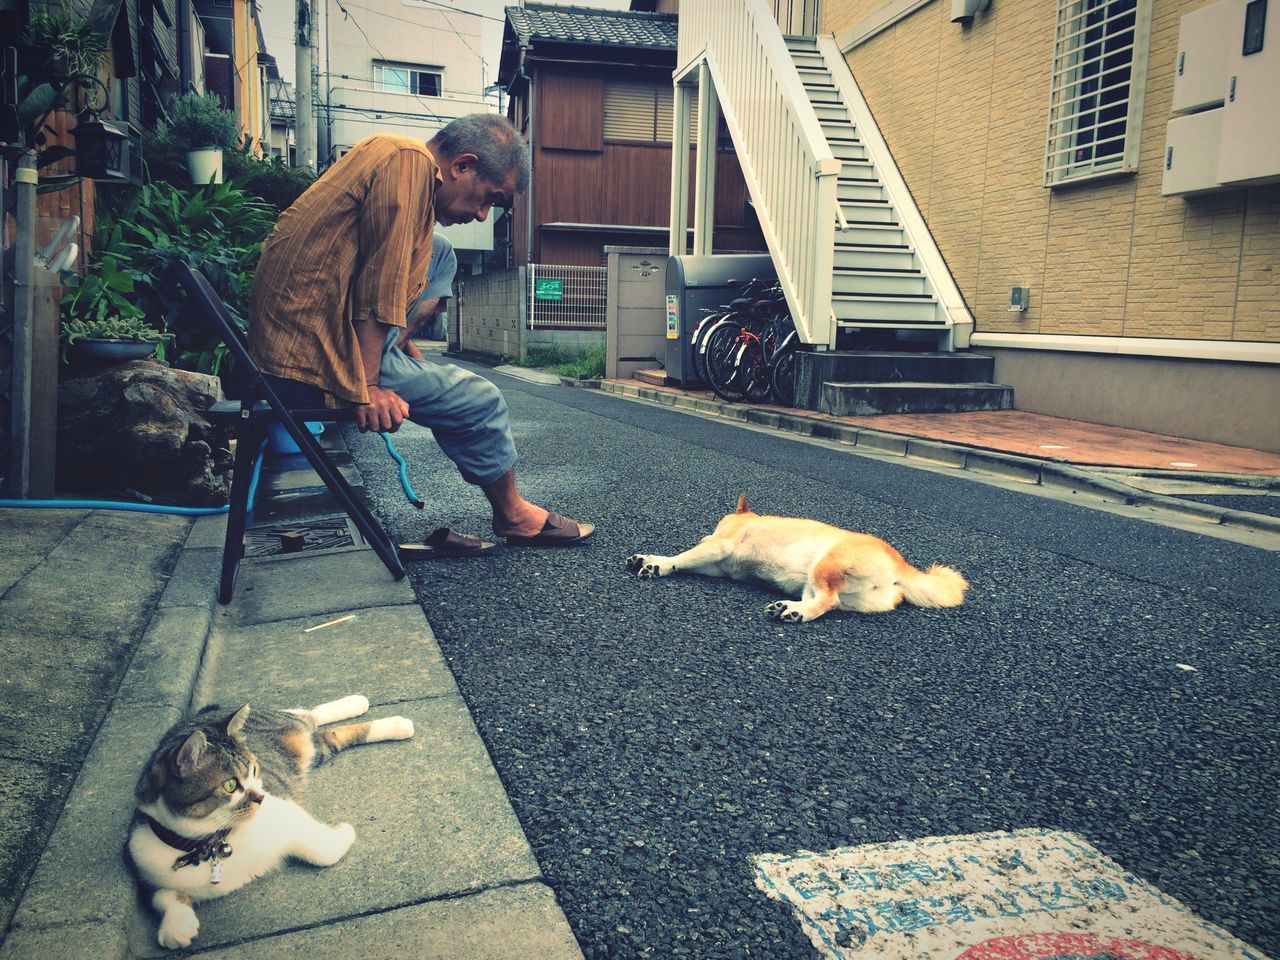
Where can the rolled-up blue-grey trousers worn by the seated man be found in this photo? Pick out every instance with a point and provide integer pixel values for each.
(467, 414)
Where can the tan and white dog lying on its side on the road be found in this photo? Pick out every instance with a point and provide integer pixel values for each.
(831, 569)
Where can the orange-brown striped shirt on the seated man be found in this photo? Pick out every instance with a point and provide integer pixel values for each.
(356, 244)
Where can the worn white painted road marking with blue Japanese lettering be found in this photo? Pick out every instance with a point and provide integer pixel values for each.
(1022, 895)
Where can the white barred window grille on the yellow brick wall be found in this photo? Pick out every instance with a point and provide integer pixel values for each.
(1100, 65)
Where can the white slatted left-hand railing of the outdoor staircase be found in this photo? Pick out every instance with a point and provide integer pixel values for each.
(787, 163)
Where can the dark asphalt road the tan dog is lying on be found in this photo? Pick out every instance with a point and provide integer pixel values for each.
(655, 734)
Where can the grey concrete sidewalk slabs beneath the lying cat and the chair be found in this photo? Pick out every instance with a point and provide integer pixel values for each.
(441, 867)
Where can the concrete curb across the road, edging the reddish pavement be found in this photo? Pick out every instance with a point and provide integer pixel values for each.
(1009, 467)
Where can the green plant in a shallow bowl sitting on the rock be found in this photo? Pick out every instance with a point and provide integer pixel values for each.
(102, 323)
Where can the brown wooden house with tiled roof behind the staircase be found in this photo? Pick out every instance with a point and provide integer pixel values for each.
(592, 93)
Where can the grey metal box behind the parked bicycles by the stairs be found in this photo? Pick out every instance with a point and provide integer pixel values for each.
(698, 287)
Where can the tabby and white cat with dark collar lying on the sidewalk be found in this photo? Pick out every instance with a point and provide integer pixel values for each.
(216, 804)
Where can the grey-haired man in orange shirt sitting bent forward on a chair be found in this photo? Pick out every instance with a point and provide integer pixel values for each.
(339, 276)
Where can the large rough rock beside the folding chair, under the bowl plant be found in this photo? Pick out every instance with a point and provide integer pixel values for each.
(140, 427)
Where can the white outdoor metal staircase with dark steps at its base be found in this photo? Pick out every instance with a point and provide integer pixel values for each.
(865, 281)
